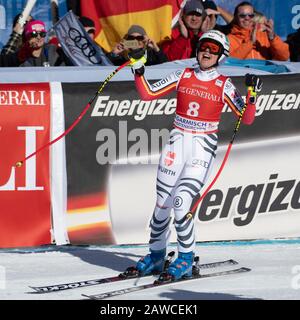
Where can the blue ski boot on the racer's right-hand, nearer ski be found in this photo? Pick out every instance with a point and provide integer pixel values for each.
(182, 267)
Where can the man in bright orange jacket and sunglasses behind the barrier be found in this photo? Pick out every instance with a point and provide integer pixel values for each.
(248, 41)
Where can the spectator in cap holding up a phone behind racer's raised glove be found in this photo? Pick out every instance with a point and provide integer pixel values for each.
(136, 38)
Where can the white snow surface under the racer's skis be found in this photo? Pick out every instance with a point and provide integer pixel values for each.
(275, 271)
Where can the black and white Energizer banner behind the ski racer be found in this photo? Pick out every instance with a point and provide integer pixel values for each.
(113, 161)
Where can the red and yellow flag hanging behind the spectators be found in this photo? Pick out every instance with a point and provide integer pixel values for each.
(114, 17)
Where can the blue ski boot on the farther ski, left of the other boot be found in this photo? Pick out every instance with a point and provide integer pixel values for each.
(152, 263)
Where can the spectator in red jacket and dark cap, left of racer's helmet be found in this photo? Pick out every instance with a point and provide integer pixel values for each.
(186, 33)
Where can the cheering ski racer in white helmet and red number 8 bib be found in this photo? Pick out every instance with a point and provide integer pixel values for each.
(188, 156)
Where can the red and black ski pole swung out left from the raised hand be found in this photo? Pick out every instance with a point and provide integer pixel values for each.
(77, 120)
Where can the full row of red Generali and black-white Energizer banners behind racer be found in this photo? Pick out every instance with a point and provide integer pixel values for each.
(98, 186)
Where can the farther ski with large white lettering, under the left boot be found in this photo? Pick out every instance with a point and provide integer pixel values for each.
(120, 277)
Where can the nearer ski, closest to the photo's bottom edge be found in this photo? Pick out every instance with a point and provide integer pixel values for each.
(156, 284)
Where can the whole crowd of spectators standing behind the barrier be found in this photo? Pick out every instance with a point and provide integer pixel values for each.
(250, 33)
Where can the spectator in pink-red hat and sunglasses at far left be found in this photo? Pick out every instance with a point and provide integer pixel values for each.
(35, 48)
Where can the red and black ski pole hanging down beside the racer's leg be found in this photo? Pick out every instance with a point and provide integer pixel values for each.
(191, 213)
